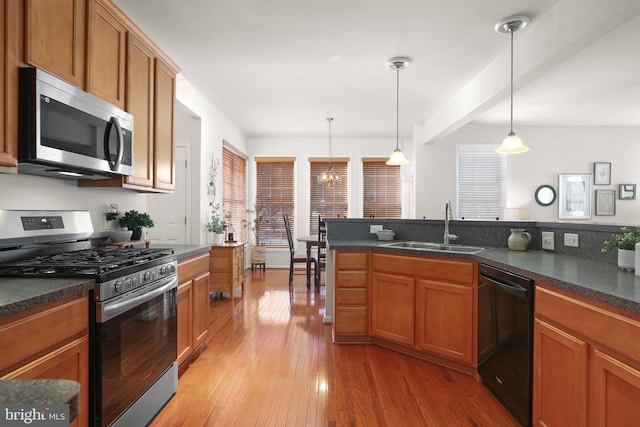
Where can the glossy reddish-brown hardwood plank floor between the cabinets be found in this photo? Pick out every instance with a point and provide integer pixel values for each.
(269, 361)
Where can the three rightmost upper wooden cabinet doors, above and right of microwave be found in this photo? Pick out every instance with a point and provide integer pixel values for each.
(125, 68)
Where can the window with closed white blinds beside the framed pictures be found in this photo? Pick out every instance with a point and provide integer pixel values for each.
(481, 182)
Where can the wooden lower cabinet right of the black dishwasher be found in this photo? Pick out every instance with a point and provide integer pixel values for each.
(586, 362)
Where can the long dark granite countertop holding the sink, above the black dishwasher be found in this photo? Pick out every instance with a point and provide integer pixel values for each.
(602, 282)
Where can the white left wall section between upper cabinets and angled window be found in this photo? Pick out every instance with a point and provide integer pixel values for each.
(214, 128)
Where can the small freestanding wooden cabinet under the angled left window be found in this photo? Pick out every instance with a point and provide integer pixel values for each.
(226, 264)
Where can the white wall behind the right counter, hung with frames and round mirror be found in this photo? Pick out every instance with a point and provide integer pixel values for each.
(553, 151)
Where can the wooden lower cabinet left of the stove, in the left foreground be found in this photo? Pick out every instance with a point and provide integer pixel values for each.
(50, 342)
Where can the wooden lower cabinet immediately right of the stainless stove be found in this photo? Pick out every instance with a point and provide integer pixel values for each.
(193, 305)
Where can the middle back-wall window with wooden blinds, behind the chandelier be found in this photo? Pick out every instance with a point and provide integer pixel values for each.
(327, 202)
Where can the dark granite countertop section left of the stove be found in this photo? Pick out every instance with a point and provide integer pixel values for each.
(19, 294)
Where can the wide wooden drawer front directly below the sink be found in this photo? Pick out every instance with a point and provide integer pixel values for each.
(449, 270)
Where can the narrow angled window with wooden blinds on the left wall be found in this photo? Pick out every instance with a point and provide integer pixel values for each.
(234, 190)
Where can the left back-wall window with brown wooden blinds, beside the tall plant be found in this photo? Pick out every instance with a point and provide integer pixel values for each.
(275, 191)
